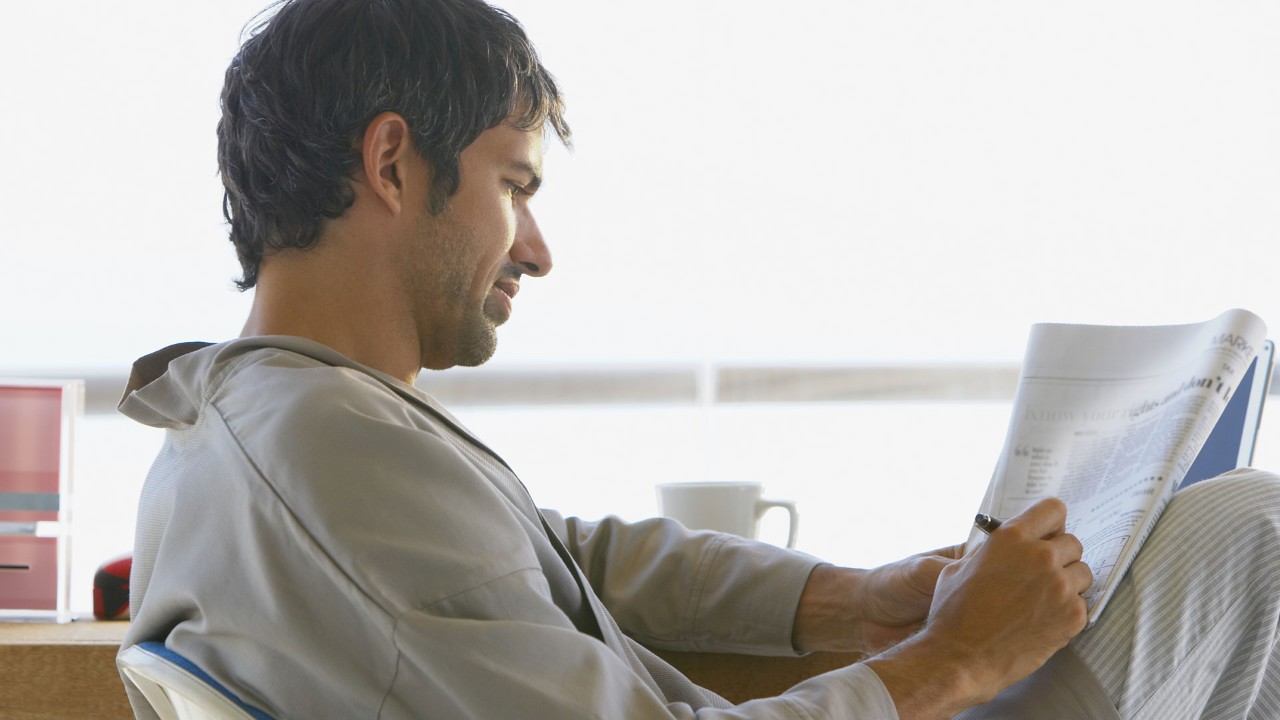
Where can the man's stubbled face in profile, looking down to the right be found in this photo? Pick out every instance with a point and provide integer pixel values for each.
(465, 265)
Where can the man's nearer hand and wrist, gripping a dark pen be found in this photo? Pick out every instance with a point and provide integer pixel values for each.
(998, 616)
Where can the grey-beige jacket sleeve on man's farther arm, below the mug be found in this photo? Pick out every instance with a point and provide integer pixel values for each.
(679, 590)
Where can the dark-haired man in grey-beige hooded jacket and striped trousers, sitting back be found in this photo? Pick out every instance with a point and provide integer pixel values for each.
(327, 541)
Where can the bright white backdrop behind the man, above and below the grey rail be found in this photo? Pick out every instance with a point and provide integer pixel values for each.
(819, 183)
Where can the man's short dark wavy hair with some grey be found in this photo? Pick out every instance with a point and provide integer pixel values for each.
(312, 76)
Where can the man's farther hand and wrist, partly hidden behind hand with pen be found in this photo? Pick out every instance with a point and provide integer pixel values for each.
(847, 610)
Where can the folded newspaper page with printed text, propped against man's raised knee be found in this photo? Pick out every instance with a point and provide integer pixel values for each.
(1109, 420)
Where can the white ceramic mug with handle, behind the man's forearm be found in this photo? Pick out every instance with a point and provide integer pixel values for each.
(729, 508)
